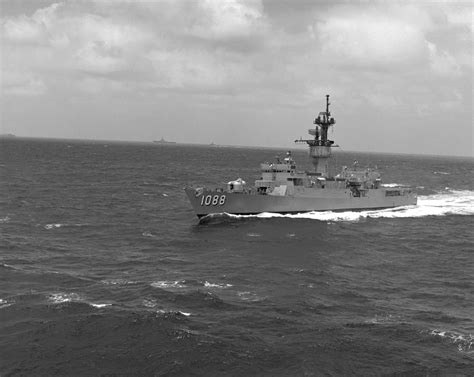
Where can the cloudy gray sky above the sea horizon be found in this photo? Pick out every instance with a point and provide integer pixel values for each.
(243, 72)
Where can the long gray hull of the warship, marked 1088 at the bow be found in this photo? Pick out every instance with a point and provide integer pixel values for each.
(207, 202)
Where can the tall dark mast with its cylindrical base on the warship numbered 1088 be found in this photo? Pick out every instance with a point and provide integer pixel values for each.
(320, 146)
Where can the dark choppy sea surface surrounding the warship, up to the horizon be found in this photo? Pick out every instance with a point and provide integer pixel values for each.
(106, 271)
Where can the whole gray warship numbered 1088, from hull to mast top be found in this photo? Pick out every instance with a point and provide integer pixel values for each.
(284, 189)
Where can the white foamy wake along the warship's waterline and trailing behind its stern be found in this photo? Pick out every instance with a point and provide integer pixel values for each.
(449, 202)
